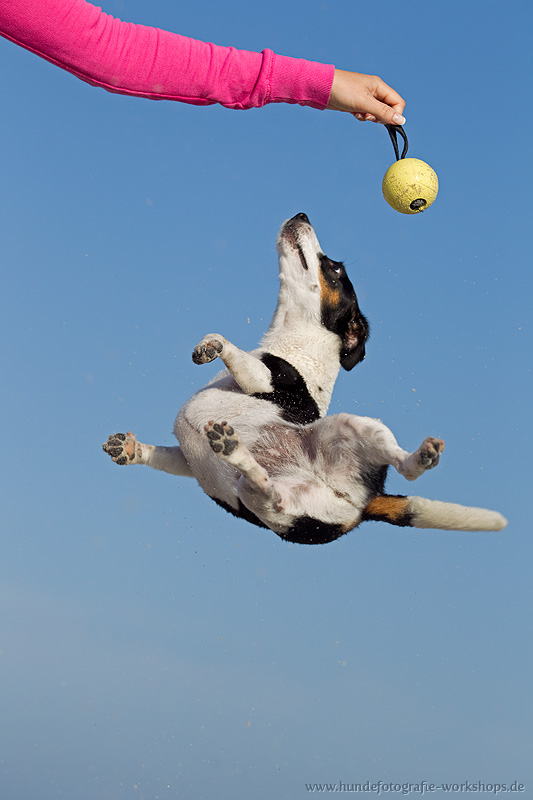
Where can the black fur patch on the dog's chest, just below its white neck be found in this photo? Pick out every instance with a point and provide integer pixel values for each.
(290, 392)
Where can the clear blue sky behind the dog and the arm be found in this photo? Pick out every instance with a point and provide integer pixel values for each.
(152, 646)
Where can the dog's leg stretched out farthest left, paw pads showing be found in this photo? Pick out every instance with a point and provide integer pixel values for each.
(124, 448)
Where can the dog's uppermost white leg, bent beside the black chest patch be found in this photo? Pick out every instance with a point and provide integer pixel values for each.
(250, 373)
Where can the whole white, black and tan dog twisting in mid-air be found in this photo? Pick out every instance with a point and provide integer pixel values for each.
(257, 440)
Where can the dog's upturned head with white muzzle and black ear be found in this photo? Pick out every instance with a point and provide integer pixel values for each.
(319, 289)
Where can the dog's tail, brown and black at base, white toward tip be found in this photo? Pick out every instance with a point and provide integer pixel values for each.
(417, 512)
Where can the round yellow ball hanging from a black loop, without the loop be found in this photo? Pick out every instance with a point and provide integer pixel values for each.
(410, 186)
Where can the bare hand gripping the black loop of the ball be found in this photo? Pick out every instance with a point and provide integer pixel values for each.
(367, 97)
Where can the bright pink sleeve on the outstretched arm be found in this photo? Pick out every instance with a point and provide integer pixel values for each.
(147, 62)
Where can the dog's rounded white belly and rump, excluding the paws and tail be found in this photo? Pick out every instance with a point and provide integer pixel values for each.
(322, 467)
